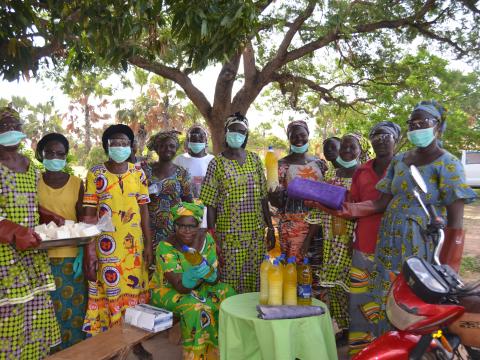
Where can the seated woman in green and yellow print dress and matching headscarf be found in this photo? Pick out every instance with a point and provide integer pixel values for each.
(190, 291)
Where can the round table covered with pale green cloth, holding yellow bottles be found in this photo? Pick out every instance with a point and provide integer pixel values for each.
(243, 336)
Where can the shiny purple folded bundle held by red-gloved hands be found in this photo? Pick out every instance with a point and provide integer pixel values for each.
(331, 196)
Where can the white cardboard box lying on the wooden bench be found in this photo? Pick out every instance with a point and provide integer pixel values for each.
(149, 318)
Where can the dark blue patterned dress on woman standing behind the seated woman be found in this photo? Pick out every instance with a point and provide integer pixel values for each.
(165, 194)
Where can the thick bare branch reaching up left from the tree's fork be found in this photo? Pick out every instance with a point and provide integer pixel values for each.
(175, 75)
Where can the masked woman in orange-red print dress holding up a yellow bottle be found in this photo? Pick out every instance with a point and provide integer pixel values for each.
(292, 226)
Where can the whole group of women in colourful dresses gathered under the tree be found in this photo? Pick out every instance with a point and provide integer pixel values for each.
(223, 211)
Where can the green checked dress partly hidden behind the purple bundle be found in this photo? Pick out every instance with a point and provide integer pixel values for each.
(334, 276)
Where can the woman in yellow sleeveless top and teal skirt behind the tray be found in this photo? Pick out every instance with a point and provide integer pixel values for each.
(62, 194)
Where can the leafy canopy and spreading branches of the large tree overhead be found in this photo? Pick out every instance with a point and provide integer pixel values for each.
(336, 49)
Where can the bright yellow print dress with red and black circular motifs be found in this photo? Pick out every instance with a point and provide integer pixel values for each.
(122, 278)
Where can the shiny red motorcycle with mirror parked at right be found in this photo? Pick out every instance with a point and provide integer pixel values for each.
(435, 314)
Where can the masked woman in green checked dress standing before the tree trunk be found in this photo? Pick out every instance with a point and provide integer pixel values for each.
(235, 192)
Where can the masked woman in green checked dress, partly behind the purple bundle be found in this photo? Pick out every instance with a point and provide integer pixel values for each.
(334, 277)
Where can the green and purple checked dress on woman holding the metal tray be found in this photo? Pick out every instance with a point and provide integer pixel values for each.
(28, 327)
